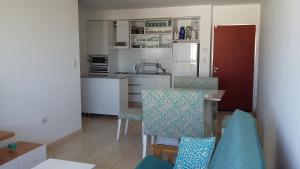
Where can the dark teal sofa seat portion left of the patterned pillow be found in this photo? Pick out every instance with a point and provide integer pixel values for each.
(151, 162)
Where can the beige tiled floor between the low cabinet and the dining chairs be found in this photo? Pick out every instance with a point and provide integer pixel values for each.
(96, 144)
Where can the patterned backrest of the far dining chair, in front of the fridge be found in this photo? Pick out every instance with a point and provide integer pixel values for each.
(206, 83)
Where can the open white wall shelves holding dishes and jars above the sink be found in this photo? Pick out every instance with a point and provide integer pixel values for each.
(160, 32)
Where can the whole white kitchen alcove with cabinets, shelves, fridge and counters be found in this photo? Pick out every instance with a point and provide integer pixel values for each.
(125, 56)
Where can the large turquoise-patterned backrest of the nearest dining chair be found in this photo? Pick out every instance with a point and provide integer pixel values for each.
(172, 113)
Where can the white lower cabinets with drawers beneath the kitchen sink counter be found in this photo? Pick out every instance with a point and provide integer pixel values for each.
(138, 83)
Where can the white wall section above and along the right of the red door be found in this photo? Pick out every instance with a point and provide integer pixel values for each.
(248, 14)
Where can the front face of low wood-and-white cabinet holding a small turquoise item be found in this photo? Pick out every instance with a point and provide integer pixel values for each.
(27, 160)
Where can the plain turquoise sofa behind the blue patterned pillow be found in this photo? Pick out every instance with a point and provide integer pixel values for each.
(239, 147)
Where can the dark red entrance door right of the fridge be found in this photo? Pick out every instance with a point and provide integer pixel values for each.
(233, 64)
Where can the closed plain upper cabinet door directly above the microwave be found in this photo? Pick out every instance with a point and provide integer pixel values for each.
(97, 36)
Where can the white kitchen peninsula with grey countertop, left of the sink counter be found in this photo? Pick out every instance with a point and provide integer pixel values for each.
(104, 94)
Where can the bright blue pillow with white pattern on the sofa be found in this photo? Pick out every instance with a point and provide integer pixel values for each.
(194, 153)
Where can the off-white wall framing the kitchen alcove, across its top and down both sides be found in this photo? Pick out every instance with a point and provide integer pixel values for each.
(203, 11)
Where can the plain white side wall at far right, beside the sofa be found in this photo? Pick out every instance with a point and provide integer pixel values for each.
(278, 83)
